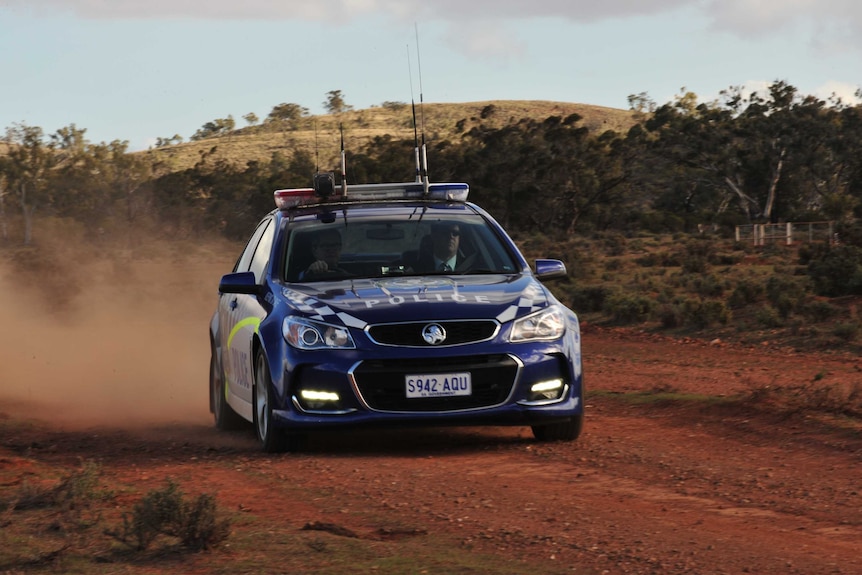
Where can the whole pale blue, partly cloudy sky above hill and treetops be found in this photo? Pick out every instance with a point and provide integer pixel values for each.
(138, 70)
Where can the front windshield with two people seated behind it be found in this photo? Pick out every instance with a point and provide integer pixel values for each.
(369, 246)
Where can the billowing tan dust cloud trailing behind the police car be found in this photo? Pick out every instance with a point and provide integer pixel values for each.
(91, 335)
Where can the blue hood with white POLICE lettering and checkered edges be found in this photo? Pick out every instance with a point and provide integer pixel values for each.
(361, 302)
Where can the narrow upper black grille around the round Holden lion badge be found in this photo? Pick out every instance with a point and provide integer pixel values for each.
(410, 334)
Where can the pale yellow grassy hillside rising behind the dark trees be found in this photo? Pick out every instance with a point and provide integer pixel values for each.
(320, 135)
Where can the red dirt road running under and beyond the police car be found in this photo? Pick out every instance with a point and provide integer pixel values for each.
(651, 488)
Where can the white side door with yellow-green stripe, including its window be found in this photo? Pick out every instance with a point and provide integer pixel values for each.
(240, 316)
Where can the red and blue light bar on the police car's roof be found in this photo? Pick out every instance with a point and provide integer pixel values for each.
(451, 192)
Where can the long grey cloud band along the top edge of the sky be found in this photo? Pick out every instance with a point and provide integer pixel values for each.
(829, 25)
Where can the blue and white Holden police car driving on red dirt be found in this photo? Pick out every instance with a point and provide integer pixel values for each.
(390, 304)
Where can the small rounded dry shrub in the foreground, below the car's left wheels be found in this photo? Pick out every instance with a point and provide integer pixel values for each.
(165, 512)
